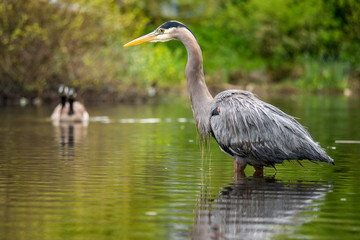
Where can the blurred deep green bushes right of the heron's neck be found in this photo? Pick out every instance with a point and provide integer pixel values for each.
(274, 34)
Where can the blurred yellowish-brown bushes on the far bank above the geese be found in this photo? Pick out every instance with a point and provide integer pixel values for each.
(46, 43)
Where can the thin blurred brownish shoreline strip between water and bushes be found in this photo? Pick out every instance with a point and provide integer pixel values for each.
(136, 95)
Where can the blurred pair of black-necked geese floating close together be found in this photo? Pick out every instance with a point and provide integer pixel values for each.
(71, 111)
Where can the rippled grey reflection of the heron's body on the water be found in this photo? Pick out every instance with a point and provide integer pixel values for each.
(256, 208)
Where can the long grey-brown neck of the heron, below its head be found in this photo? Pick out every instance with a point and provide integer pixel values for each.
(200, 96)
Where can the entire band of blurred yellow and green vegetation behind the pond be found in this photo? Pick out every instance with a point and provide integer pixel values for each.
(312, 45)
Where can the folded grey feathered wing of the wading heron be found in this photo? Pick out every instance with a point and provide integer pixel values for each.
(250, 128)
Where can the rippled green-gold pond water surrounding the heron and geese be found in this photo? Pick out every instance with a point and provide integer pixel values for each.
(138, 172)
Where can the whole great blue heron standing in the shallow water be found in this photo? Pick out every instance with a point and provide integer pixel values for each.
(251, 131)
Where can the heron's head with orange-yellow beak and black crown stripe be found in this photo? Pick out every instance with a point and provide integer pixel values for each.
(165, 32)
